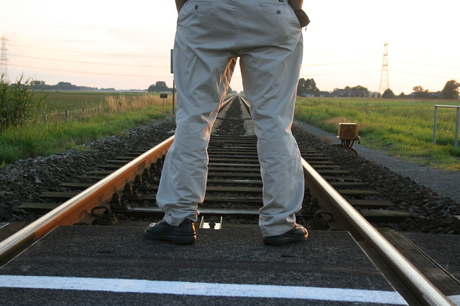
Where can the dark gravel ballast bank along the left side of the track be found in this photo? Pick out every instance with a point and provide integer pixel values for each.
(24, 180)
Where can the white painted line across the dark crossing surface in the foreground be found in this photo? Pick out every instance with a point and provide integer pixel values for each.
(201, 289)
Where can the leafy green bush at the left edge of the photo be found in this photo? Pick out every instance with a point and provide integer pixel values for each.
(17, 103)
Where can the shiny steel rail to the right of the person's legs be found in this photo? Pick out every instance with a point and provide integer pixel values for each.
(361, 229)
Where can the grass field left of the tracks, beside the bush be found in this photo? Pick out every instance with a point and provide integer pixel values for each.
(91, 116)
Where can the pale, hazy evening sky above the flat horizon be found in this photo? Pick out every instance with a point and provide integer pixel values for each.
(127, 44)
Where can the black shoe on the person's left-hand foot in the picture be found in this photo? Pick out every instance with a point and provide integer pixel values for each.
(183, 234)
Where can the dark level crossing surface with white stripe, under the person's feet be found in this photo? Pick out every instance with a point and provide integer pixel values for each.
(95, 265)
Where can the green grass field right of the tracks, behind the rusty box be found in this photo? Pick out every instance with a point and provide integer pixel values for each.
(402, 128)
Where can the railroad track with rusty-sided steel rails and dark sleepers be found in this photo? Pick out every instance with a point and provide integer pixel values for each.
(126, 186)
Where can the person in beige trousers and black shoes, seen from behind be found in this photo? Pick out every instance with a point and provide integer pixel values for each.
(211, 34)
